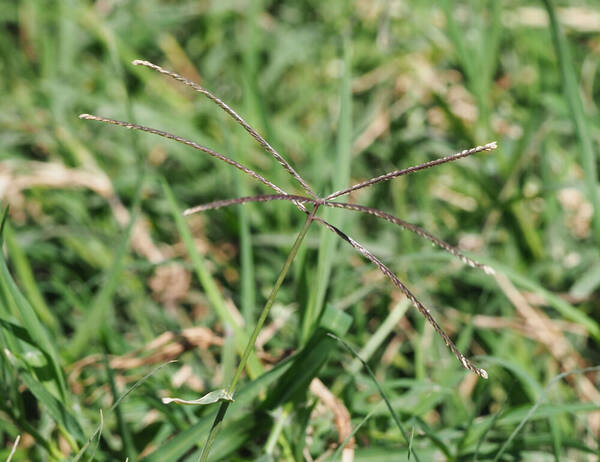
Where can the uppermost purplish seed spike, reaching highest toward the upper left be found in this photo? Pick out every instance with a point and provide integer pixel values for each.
(236, 117)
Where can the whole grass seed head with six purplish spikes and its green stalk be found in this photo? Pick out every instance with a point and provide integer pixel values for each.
(316, 202)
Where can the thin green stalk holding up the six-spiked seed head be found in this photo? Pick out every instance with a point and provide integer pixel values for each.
(261, 320)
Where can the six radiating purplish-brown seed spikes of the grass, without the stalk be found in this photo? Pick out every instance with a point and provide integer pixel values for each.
(315, 201)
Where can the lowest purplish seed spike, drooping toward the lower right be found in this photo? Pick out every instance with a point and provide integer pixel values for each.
(422, 309)
